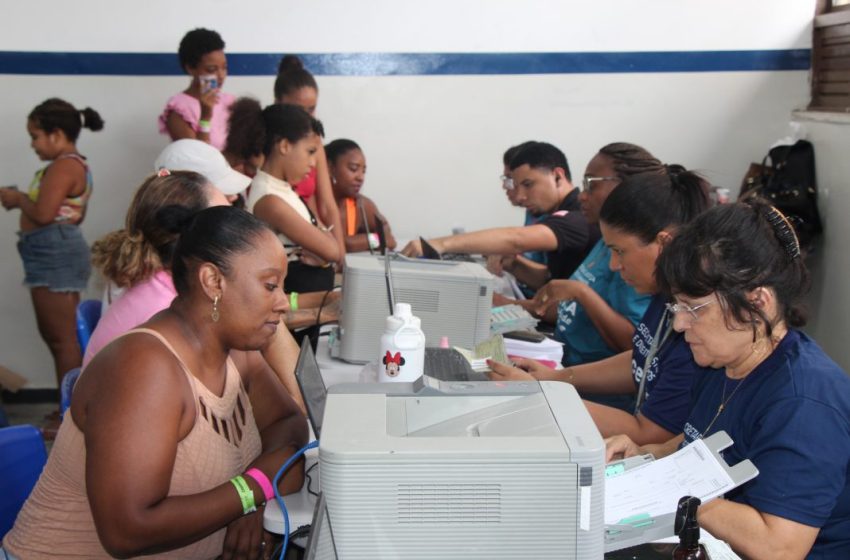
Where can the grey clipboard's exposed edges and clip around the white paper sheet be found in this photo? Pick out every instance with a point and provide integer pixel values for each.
(643, 528)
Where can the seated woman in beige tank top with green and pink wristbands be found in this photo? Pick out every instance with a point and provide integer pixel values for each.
(166, 417)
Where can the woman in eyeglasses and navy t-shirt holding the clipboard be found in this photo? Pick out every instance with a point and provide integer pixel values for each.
(737, 279)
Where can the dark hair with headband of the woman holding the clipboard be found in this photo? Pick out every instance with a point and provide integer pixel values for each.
(733, 249)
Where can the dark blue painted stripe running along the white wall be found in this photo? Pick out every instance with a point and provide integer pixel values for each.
(413, 64)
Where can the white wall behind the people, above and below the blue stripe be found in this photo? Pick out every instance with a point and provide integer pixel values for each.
(433, 143)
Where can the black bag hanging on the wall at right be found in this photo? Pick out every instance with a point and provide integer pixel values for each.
(788, 182)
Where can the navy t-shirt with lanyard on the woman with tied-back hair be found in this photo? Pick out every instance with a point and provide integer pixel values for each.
(670, 374)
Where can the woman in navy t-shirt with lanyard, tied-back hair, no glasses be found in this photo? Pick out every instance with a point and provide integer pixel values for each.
(637, 220)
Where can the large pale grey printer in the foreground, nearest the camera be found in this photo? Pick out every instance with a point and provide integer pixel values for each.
(435, 469)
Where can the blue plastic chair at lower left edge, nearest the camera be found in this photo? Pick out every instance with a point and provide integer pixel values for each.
(22, 458)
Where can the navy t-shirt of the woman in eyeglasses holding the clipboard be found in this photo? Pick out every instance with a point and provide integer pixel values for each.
(791, 417)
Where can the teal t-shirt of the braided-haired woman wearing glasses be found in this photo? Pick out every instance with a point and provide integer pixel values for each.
(582, 342)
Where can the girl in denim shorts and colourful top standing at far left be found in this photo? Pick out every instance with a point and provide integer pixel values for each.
(54, 253)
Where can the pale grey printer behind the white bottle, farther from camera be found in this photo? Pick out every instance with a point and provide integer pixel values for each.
(451, 298)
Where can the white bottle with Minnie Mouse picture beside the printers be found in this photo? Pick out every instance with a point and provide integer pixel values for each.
(402, 355)
